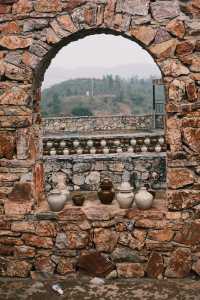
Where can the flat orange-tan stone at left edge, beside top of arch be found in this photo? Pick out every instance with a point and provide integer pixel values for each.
(15, 42)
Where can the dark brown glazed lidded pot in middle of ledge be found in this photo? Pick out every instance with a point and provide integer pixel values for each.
(106, 192)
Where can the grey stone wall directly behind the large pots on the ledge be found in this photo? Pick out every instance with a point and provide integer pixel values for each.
(85, 172)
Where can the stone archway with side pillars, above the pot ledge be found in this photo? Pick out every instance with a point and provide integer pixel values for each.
(32, 32)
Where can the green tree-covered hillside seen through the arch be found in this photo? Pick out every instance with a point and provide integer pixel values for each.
(109, 95)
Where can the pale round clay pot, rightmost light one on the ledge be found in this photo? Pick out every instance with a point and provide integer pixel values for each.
(143, 199)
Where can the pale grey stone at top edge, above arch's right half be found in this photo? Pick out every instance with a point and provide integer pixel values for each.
(133, 7)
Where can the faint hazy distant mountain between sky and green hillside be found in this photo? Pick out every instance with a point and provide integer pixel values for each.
(56, 75)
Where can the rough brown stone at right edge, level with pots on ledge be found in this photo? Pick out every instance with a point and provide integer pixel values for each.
(183, 199)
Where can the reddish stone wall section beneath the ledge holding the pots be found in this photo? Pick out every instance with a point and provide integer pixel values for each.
(154, 243)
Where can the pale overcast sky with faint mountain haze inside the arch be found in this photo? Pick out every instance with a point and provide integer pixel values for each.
(98, 54)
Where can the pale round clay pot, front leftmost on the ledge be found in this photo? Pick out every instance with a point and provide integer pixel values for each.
(56, 201)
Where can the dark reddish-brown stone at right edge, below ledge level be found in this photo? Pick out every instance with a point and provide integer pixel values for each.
(190, 235)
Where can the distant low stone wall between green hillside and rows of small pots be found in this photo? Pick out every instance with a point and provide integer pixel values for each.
(90, 124)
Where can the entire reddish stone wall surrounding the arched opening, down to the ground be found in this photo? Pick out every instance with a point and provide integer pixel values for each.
(163, 241)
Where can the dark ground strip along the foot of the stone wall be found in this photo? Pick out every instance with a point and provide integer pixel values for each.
(81, 289)
